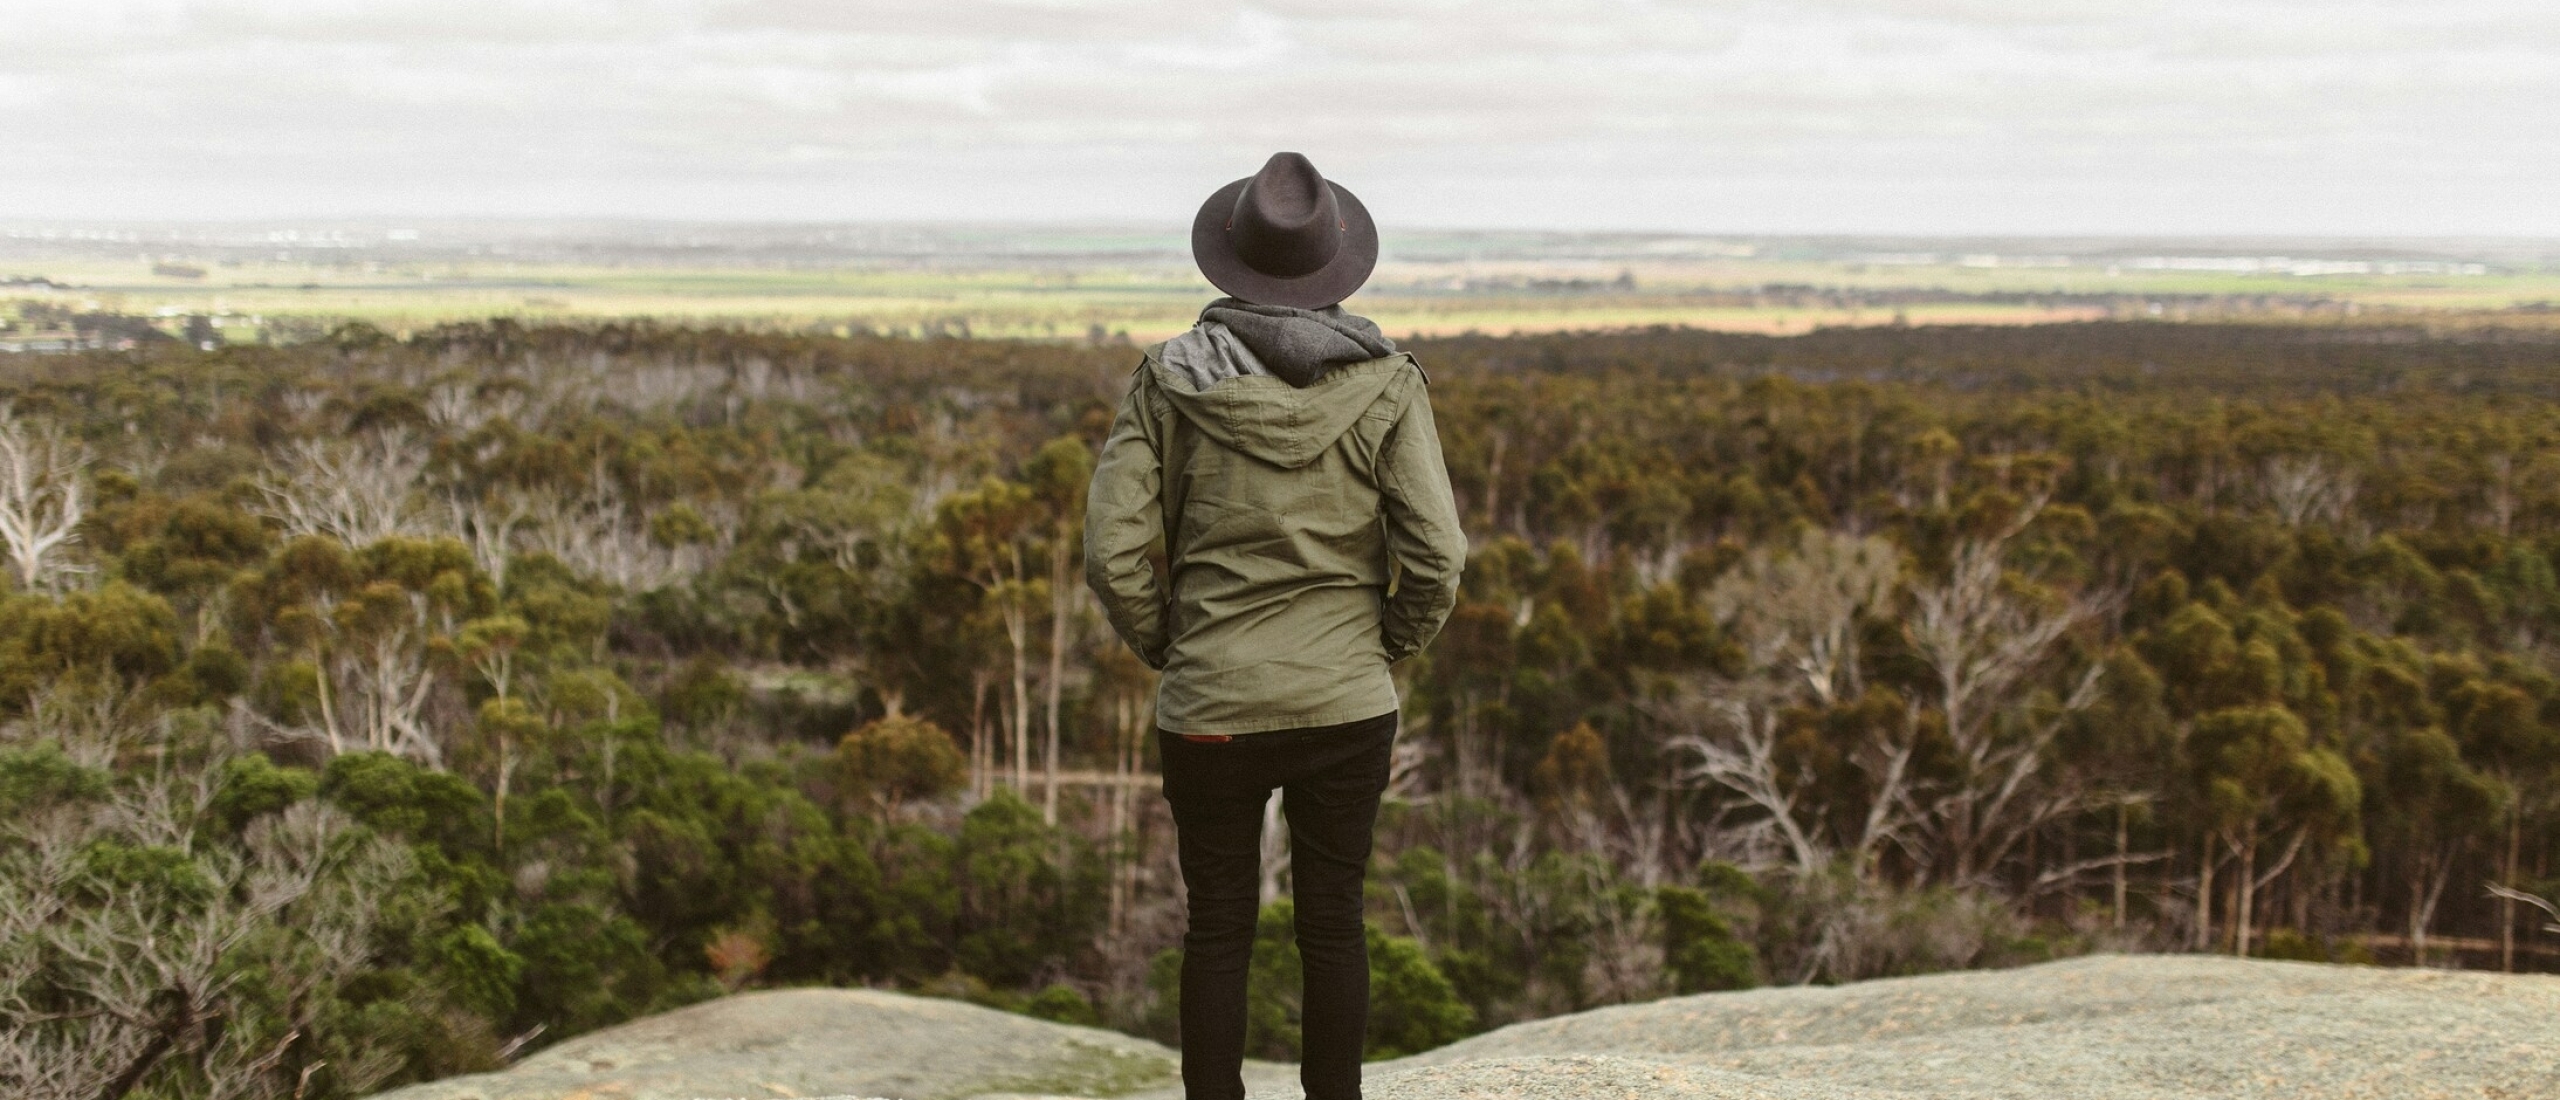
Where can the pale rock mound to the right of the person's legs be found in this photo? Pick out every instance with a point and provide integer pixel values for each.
(2100, 1030)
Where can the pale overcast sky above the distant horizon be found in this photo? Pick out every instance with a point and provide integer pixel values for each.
(1811, 116)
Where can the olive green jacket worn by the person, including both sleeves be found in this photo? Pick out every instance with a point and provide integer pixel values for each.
(1309, 533)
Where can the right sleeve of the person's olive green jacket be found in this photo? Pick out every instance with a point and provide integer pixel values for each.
(1425, 538)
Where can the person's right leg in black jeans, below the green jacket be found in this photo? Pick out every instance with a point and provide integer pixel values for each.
(1332, 812)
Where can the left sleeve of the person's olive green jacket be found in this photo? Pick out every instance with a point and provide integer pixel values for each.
(1125, 518)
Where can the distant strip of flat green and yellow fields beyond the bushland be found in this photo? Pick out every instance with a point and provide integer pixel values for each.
(1151, 301)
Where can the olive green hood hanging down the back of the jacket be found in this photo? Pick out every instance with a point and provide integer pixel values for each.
(1274, 421)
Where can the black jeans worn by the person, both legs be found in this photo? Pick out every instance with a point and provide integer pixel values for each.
(1330, 782)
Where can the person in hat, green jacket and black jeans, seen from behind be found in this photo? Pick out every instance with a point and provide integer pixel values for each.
(1284, 457)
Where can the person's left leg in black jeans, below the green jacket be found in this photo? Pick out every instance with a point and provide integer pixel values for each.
(1217, 828)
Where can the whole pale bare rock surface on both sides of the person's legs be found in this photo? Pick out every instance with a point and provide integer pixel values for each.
(2083, 1030)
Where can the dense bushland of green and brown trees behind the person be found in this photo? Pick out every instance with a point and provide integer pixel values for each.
(383, 710)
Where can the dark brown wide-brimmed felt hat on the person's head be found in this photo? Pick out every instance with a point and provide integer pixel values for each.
(1286, 237)
